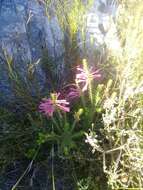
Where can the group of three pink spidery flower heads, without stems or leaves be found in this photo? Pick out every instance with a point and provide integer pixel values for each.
(61, 101)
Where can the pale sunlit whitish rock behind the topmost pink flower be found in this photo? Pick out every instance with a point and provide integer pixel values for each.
(100, 22)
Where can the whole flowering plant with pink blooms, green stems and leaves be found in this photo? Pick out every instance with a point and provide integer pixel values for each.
(66, 131)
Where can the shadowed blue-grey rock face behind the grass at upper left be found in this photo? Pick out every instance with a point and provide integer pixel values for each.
(25, 31)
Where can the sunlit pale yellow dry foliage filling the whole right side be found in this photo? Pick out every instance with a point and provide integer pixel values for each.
(123, 104)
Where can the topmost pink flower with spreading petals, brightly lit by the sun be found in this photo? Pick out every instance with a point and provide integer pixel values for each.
(85, 76)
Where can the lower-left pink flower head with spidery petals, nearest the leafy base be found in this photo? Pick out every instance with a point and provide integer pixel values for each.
(48, 106)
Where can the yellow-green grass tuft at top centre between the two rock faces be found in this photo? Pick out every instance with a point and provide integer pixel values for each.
(71, 14)
